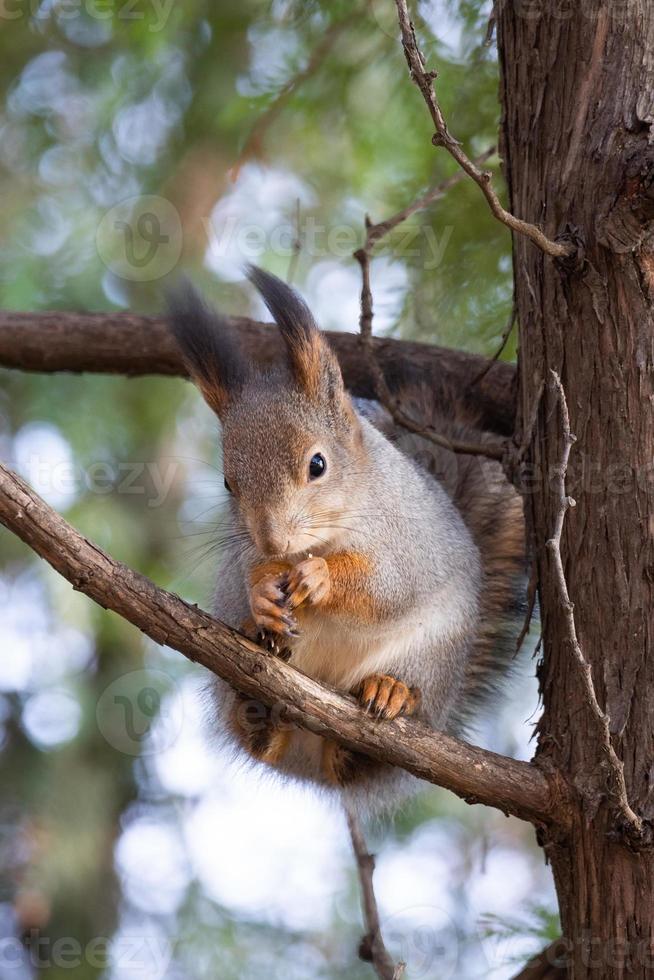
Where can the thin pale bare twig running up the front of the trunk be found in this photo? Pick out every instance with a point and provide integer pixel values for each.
(617, 785)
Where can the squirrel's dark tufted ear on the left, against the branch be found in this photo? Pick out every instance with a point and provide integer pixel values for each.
(210, 351)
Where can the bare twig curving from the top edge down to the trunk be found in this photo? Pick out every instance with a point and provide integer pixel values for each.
(425, 82)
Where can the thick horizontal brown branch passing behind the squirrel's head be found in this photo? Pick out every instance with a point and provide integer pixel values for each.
(124, 343)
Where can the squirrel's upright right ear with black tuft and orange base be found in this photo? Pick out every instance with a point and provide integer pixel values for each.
(313, 362)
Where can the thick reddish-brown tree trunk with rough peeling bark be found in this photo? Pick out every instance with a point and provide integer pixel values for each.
(577, 89)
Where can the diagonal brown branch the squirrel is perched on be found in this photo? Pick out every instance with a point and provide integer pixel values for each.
(474, 774)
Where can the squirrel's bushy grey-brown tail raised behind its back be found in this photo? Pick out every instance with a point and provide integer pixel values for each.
(493, 512)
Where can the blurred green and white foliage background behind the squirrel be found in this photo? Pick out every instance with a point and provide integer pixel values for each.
(138, 139)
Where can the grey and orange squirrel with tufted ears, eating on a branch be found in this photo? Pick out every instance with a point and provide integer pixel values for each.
(373, 560)
